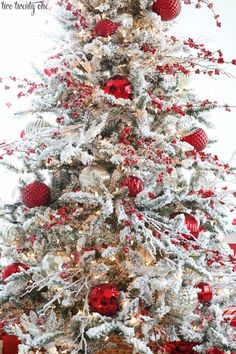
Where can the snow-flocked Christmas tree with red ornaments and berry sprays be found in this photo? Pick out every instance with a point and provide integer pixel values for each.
(115, 242)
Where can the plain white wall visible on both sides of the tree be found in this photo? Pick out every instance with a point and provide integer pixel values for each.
(23, 39)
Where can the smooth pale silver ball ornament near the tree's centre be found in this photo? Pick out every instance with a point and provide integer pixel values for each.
(86, 179)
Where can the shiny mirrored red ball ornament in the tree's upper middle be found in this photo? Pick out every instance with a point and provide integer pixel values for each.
(118, 86)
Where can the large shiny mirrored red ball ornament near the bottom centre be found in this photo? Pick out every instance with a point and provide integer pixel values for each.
(104, 299)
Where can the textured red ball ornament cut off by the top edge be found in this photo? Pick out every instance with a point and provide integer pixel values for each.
(167, 9)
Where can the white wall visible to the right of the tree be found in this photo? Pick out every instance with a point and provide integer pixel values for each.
(200, 25)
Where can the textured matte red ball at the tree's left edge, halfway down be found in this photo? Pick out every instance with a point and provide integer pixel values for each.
(36, 194)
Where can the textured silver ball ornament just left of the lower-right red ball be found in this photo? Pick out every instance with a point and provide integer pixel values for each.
(182, 303)
